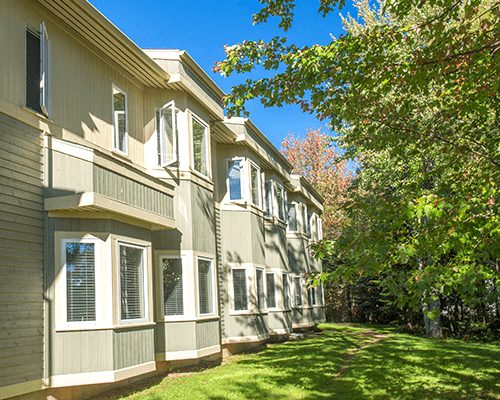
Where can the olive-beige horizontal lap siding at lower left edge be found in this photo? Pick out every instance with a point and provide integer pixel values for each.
(21, 252)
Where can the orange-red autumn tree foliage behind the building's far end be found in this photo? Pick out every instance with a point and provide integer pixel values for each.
(315, 157)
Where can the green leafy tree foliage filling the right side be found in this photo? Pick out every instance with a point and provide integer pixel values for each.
(412, 88)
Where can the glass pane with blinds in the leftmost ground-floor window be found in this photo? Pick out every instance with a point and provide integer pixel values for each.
(80, 282)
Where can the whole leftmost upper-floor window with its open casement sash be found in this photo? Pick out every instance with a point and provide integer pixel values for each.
(38, 71)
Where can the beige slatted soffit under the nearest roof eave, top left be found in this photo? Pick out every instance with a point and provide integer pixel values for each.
(94, 28)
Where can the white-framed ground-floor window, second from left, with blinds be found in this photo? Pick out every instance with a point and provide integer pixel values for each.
(132, 282)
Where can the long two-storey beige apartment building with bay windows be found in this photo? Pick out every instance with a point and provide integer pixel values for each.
(141, 229)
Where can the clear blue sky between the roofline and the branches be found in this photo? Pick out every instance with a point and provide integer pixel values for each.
(202, 28)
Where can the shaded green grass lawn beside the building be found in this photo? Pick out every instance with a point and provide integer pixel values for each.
(397, 367)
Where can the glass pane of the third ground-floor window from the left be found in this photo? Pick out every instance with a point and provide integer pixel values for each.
(172, 286)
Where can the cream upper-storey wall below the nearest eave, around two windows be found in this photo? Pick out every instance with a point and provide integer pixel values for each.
(81, 80)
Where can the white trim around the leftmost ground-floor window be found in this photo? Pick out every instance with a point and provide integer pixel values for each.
(63, 285)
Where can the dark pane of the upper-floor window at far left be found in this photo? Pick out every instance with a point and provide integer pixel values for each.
(33, 72)
